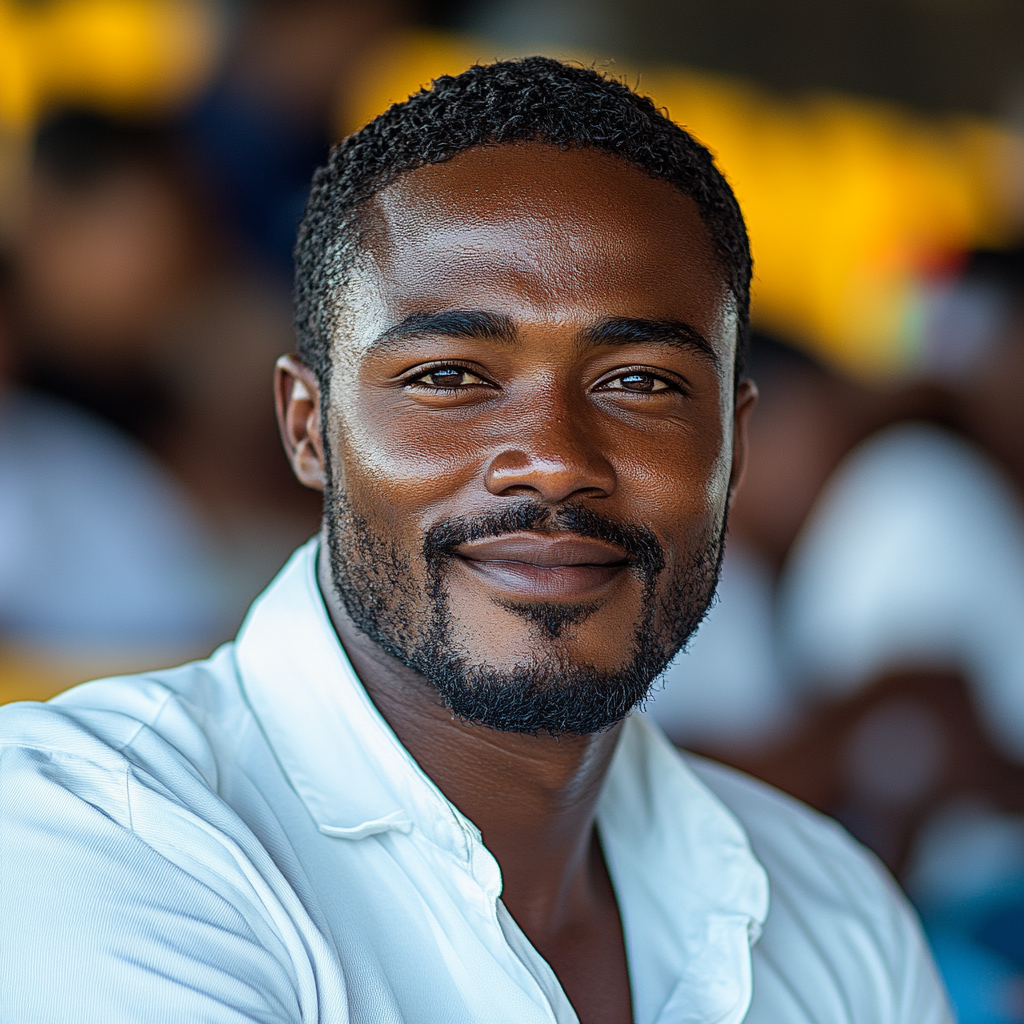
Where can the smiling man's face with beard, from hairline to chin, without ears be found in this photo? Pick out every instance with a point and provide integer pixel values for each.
(531, 433)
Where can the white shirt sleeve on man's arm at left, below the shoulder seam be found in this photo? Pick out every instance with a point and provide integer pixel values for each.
(98, 927)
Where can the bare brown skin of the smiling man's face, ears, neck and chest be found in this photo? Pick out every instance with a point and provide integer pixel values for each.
(553, 244)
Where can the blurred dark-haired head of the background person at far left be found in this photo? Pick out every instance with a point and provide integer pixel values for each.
(109, 251)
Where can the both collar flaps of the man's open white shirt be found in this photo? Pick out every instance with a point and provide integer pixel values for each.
(693, 897)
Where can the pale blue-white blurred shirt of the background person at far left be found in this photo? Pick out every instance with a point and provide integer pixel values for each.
(104, 563)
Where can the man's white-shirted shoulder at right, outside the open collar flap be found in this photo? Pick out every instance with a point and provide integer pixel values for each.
(841, 942)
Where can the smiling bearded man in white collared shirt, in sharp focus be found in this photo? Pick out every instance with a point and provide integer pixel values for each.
(410, 791)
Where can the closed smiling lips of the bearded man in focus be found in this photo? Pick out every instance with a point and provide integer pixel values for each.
(546, 567)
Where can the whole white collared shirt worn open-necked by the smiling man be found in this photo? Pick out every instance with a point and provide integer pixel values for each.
(245, 839)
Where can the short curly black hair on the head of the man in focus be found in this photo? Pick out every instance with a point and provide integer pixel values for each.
(535, 100)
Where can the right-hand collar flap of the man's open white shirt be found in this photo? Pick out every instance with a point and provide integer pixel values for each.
(692, 894)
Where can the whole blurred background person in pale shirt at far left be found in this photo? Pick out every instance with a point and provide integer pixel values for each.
(123, 278)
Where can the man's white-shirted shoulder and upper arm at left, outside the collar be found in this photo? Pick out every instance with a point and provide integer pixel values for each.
(127, 877)
